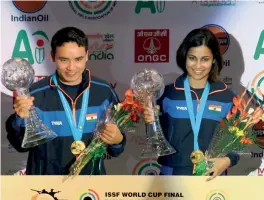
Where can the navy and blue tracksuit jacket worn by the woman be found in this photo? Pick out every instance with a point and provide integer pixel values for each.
(177, 128)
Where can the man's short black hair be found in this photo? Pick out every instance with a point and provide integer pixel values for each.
(69, 34)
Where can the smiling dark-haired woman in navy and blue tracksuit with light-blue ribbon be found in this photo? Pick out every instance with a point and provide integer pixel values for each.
(200, 59)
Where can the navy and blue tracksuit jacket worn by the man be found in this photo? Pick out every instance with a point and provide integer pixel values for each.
(55, 157)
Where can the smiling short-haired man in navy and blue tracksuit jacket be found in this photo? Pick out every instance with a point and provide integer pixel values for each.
(69, 51)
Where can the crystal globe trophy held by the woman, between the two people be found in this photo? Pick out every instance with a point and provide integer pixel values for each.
(148, 86)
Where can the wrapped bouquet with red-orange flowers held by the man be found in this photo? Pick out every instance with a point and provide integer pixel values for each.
(125, 115)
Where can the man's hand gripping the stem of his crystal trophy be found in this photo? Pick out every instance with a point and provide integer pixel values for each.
(22, 105)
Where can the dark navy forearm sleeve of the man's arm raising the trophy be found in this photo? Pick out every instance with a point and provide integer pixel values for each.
(15, 127)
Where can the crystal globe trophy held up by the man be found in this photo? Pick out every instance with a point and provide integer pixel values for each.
(17, 75)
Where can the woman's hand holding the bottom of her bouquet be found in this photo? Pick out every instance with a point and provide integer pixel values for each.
(220, 165)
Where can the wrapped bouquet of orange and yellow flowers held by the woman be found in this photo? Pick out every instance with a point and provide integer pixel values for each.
(233, 134)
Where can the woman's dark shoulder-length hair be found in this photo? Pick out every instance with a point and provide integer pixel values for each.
(196, 38)
